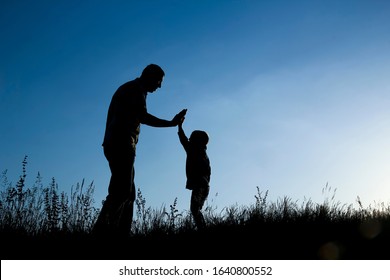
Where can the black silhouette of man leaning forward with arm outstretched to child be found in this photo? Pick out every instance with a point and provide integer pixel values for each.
(126, 113)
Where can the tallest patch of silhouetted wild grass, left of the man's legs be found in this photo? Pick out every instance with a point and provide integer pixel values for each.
(40, 210)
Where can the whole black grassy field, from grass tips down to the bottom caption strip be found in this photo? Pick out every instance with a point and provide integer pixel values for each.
(39, 222)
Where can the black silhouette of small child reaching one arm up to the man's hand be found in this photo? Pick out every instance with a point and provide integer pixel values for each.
(198, 170)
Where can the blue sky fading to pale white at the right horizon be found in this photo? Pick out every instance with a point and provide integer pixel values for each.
(294, 94)
